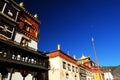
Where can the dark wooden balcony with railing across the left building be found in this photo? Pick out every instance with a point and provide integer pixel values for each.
(19, 56)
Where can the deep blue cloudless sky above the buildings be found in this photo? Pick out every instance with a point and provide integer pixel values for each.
(72, 24)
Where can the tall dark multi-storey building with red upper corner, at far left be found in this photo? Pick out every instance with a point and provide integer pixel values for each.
(19, 55)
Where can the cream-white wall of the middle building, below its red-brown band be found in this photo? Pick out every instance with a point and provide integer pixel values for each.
(57, 72)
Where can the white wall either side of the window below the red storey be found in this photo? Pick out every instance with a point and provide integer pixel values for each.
(33, 44)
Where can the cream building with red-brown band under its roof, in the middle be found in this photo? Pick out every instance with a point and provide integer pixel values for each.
(62, 66)
